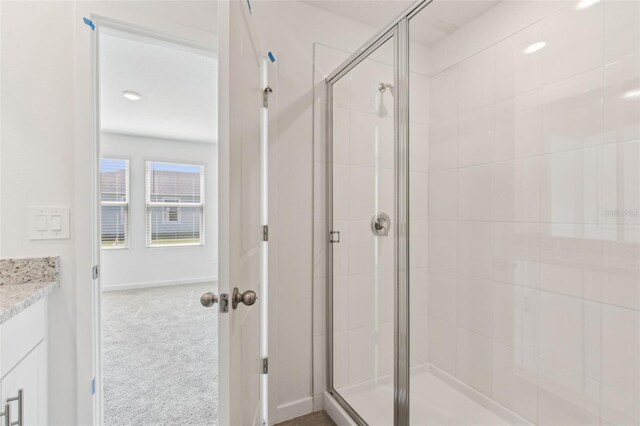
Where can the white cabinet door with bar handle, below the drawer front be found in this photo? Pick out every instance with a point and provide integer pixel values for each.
(30, 375)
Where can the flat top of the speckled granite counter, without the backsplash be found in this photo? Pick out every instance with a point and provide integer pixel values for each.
(15, 298)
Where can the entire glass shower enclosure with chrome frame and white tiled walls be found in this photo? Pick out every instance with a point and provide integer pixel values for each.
(483, 212)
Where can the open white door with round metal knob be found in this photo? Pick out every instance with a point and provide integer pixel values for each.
(242, 215)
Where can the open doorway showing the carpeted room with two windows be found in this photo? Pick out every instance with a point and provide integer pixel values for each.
(159, 227)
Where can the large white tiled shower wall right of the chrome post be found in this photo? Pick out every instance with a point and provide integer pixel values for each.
(534, 243)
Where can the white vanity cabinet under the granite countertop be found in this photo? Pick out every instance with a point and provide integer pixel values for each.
(23, 365)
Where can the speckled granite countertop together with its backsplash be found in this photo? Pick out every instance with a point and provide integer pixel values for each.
(25, 281)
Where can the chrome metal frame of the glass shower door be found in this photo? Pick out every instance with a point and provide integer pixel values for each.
(399, 31)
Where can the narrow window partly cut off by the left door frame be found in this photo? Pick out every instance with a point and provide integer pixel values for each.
(114, 198)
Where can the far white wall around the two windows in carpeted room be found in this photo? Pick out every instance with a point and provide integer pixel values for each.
(139, 265)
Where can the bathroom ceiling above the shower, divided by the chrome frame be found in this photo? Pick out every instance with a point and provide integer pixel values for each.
(438, 20)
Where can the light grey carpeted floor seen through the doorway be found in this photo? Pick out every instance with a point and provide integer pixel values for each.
(160, 357)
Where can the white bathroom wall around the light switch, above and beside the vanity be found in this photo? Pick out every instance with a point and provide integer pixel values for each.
(37, 165)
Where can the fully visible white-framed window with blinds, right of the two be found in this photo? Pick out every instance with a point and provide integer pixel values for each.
(175, 204)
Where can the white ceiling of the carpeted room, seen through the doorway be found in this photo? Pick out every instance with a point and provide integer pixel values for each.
(177, 84)
